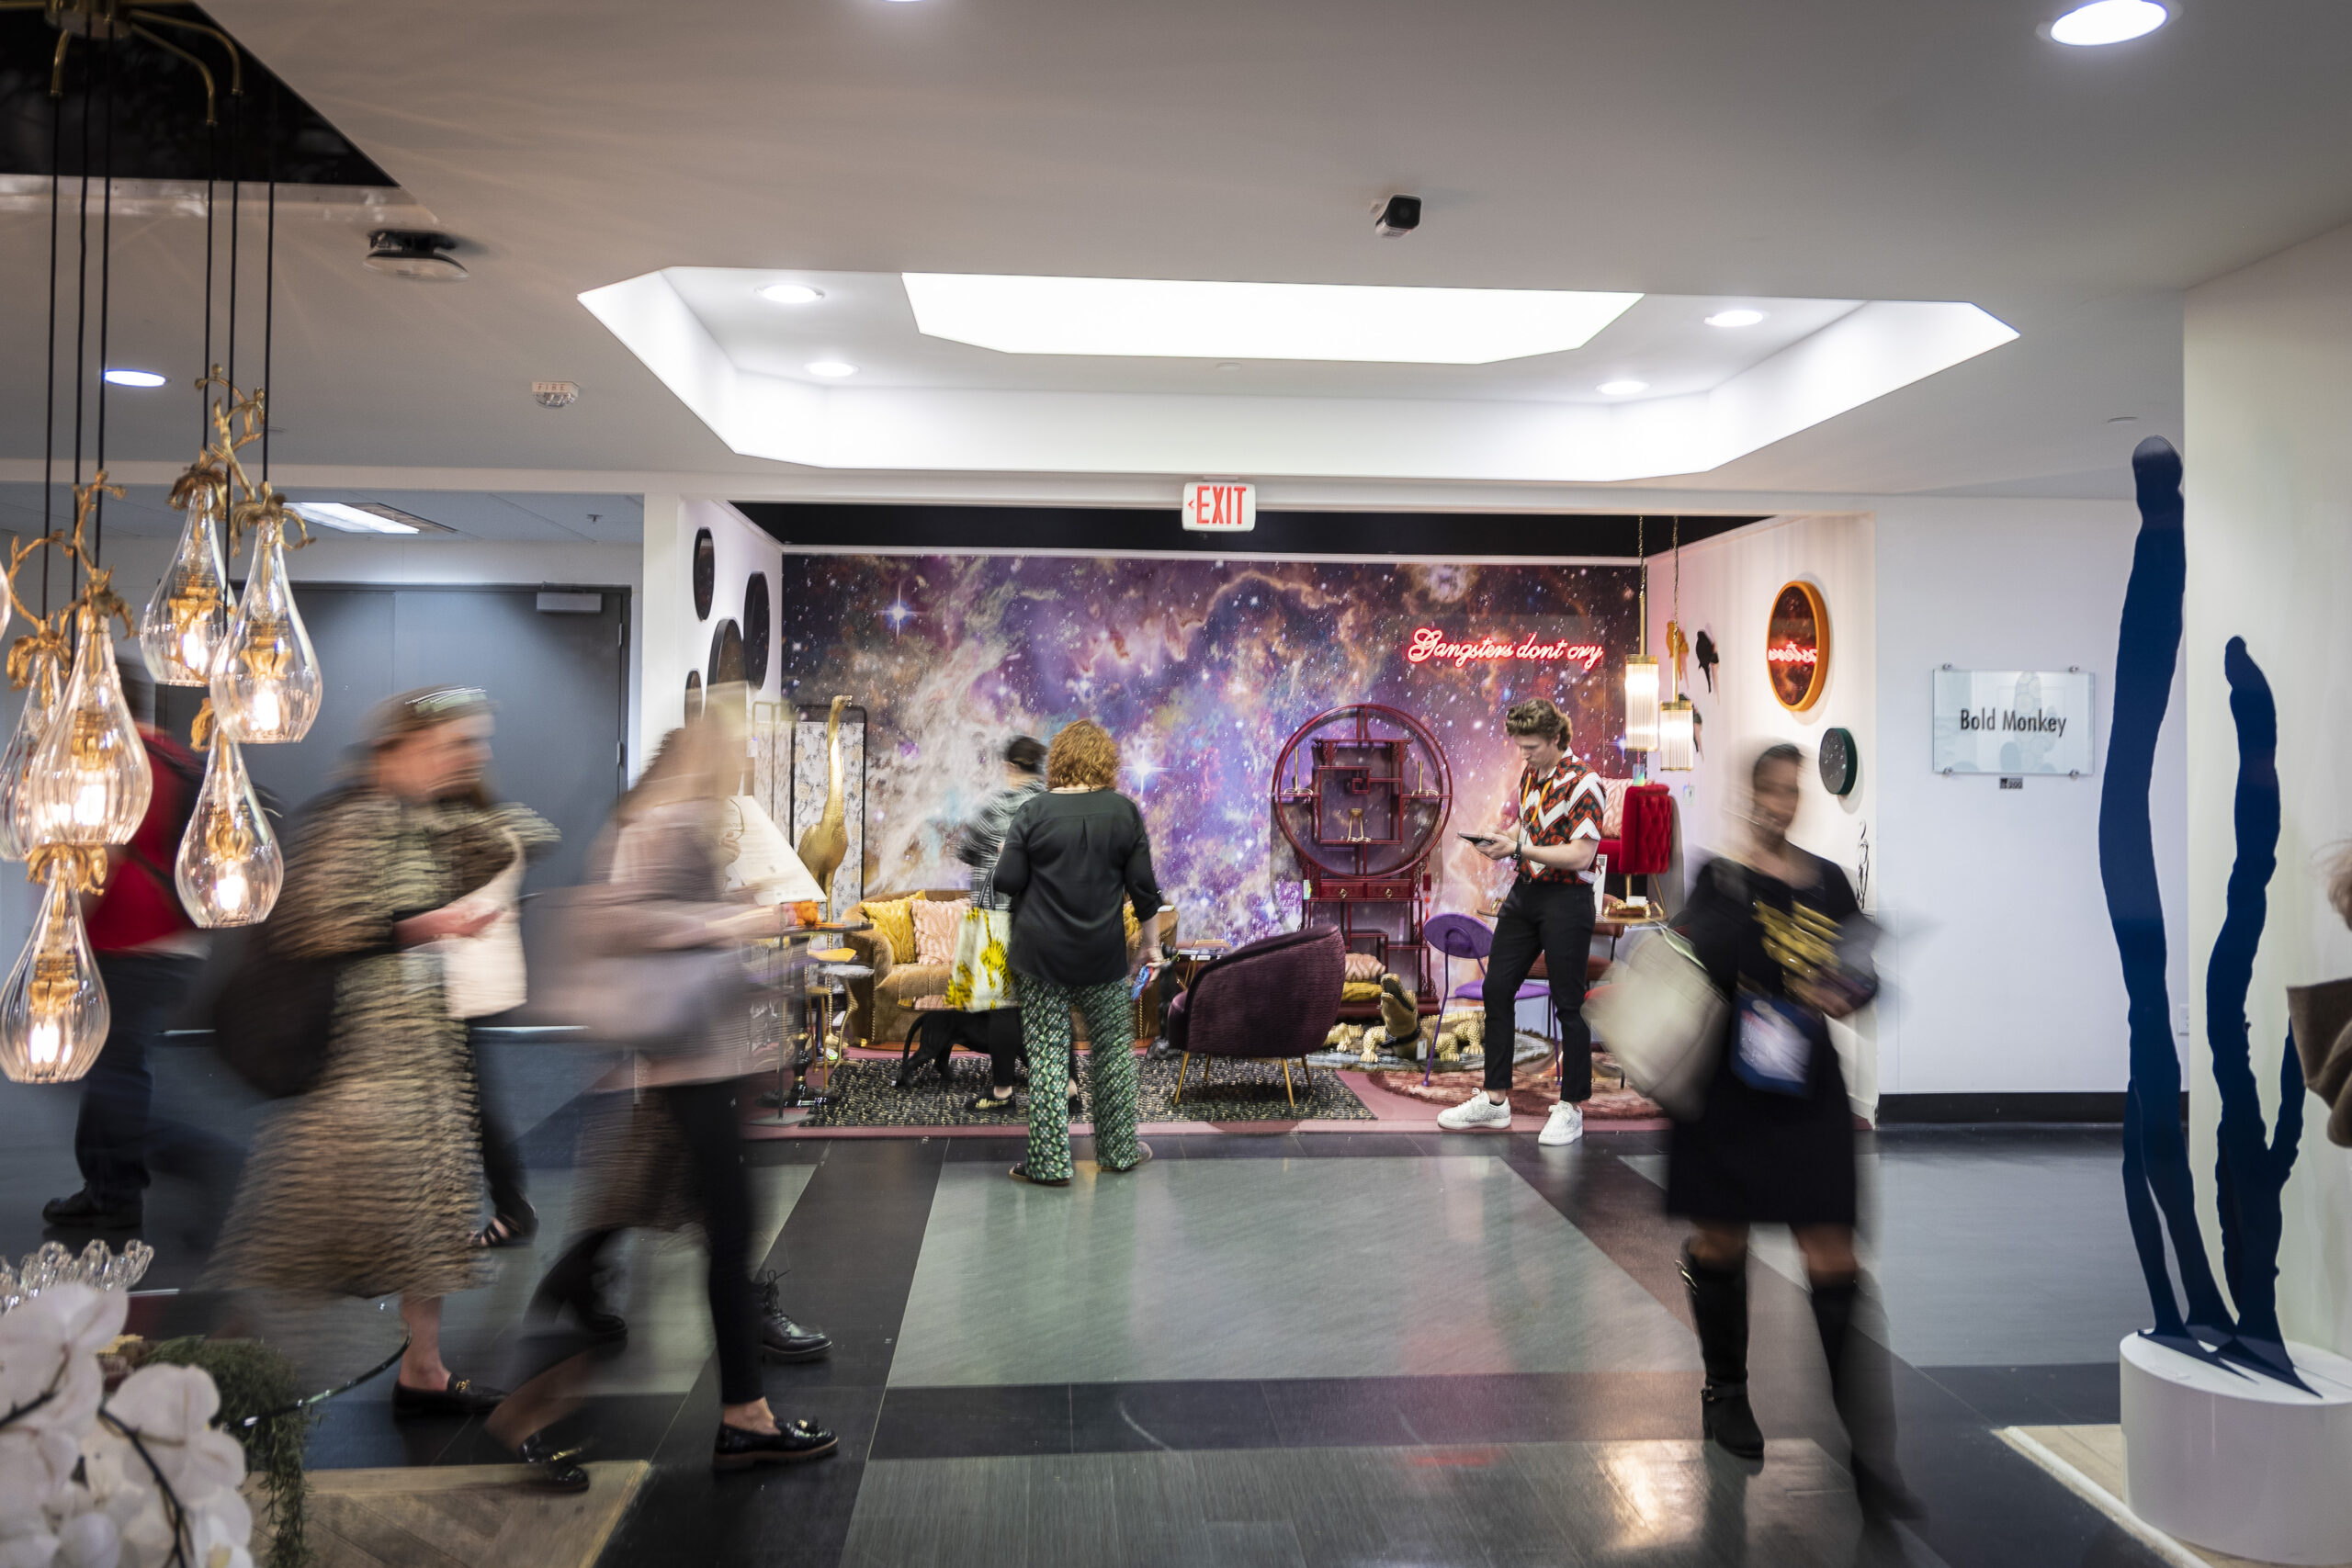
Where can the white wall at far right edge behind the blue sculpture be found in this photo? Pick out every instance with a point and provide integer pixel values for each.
(2269, 368)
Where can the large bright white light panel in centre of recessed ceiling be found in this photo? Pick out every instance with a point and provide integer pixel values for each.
(1158, 319)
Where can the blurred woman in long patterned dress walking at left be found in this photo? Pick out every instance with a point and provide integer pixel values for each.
(373, 1181)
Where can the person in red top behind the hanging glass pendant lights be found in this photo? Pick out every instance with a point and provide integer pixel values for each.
(149, 956)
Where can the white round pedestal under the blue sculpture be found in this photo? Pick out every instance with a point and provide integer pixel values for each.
(2240, 1463)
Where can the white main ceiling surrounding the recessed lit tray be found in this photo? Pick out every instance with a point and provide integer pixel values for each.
(1711, 149)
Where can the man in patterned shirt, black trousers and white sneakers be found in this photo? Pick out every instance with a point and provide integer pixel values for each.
(1553, 829)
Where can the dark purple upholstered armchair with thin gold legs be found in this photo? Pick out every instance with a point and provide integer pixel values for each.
(1262, 1003)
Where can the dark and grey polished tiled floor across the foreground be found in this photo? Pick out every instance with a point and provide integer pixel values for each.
(1281, 1348)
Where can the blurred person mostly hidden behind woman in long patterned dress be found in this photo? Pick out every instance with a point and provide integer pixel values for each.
(490, 845)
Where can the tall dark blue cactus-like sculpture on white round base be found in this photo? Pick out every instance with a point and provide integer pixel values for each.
(2160, 1195)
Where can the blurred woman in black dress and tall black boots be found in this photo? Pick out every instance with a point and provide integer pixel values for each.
(1775, 1144)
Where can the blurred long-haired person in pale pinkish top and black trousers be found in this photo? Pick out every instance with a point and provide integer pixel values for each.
(674, 1155)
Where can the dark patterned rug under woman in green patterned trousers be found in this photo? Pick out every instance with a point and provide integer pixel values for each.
(864, 1094)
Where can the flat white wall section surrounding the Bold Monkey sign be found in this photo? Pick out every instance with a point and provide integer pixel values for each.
(2010, 977)
